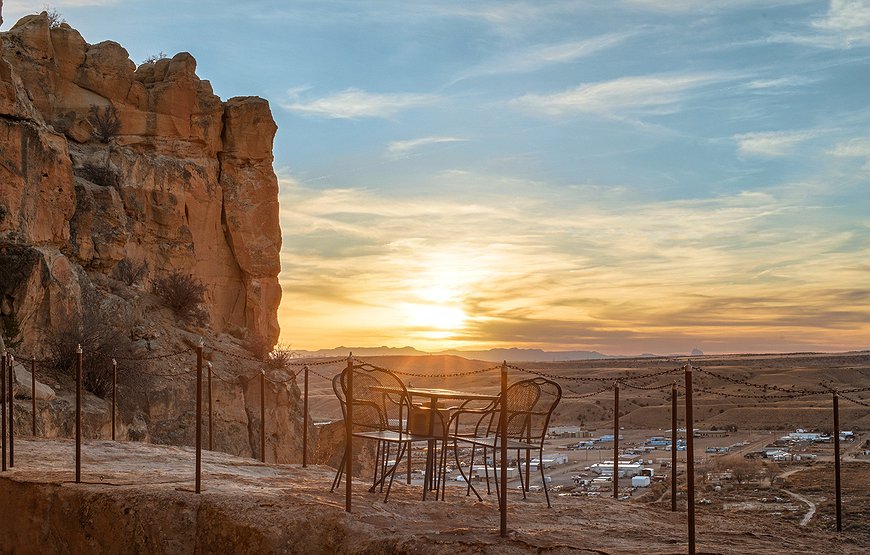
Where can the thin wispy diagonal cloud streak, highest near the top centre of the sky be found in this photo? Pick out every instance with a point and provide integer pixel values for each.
(546, 55)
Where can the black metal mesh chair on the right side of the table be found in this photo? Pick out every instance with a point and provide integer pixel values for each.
(530, 404)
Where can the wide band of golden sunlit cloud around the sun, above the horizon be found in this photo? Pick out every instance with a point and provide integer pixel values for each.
(441, 273)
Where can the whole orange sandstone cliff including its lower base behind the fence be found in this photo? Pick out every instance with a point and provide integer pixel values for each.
(89, 221)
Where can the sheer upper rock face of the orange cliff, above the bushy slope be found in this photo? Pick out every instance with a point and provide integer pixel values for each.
(191, 183)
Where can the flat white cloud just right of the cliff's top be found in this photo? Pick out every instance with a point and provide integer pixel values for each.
(355, 103)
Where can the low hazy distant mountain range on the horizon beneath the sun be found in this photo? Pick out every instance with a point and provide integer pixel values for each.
(490, 355)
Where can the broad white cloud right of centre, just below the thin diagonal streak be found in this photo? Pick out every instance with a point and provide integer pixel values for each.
(653, 94)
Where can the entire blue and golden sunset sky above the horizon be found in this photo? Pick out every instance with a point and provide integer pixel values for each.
(630, 176)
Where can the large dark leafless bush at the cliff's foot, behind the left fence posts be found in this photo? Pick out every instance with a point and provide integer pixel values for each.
(101, 338)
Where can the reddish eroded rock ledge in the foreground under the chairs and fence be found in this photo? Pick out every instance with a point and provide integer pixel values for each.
(138, 498)
